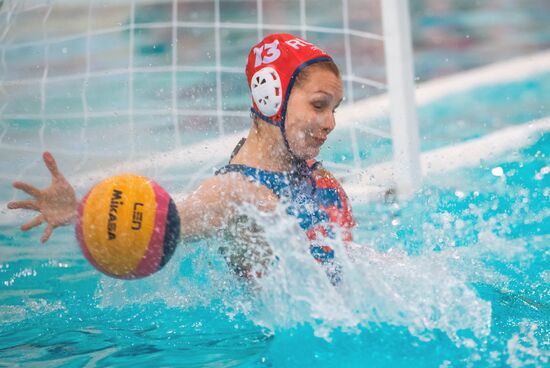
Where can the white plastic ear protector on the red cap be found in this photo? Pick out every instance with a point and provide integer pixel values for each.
(267, 93)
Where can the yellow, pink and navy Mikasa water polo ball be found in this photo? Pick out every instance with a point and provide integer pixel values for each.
(128, 226)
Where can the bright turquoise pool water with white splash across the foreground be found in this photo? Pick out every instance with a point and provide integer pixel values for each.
(460, 279)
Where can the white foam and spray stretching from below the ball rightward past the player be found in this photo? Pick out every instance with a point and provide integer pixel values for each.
(426, 293)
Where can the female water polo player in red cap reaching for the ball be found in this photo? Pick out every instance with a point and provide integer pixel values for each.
(295, 88)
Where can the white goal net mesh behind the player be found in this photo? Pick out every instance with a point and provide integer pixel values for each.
(156, 87)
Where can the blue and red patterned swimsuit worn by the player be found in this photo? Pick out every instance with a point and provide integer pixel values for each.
(314, 197)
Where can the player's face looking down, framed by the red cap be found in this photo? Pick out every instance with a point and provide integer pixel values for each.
(310, 111)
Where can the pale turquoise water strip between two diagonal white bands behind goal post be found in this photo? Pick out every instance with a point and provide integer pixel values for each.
(454, 118)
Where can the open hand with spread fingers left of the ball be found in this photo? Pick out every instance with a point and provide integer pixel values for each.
(56, 205)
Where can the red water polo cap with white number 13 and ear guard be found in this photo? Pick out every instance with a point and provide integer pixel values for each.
(271, 70)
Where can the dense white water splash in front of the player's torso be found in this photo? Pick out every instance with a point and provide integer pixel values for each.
(422, 293)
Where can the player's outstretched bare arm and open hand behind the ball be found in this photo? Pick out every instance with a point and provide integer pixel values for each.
(210, 210)
